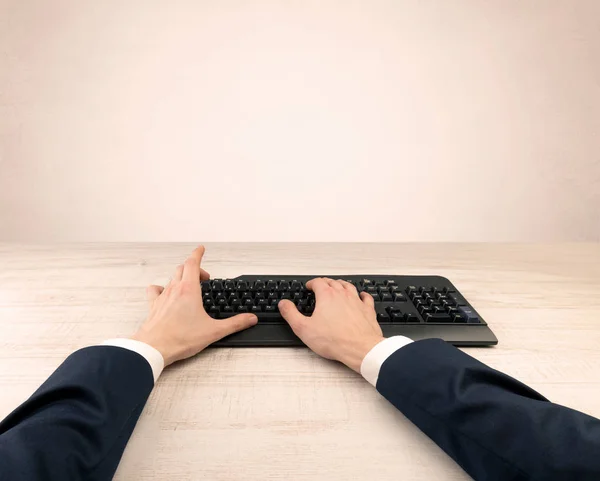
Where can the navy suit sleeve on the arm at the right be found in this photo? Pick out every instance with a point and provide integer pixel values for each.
(493, 426)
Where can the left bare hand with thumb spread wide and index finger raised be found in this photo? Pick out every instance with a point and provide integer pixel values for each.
(178, 326)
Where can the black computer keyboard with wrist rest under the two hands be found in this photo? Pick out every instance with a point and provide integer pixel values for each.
(418, 307)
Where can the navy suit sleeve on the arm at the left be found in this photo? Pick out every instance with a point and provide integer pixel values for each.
(76, 425)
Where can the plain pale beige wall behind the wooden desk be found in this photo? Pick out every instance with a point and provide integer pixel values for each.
(299, 120)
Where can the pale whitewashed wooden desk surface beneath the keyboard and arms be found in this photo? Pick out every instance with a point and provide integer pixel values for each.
(285, 414)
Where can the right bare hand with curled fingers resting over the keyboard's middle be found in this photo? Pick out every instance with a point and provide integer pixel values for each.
(344, 325)
